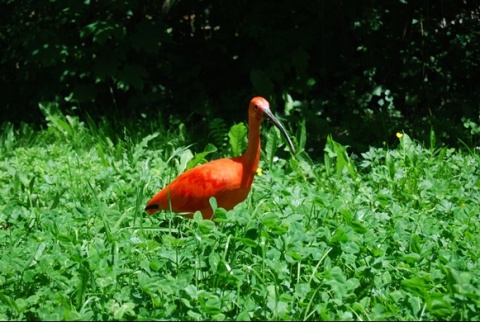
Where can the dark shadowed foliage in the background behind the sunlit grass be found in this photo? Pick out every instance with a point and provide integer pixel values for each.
(361, 70)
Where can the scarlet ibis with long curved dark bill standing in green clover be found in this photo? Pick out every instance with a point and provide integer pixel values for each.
(228, 180)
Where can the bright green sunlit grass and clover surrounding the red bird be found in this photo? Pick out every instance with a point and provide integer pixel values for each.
(393, 234)
